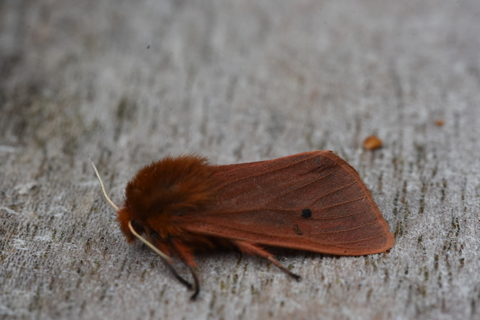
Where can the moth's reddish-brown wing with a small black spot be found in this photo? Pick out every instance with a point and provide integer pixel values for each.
(312, 201)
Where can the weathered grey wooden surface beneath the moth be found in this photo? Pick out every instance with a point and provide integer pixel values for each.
(128, 82)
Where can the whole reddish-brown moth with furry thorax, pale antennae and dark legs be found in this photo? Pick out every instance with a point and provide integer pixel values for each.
(313, 201)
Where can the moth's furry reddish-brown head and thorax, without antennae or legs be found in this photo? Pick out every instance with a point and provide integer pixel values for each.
(164, 190)
